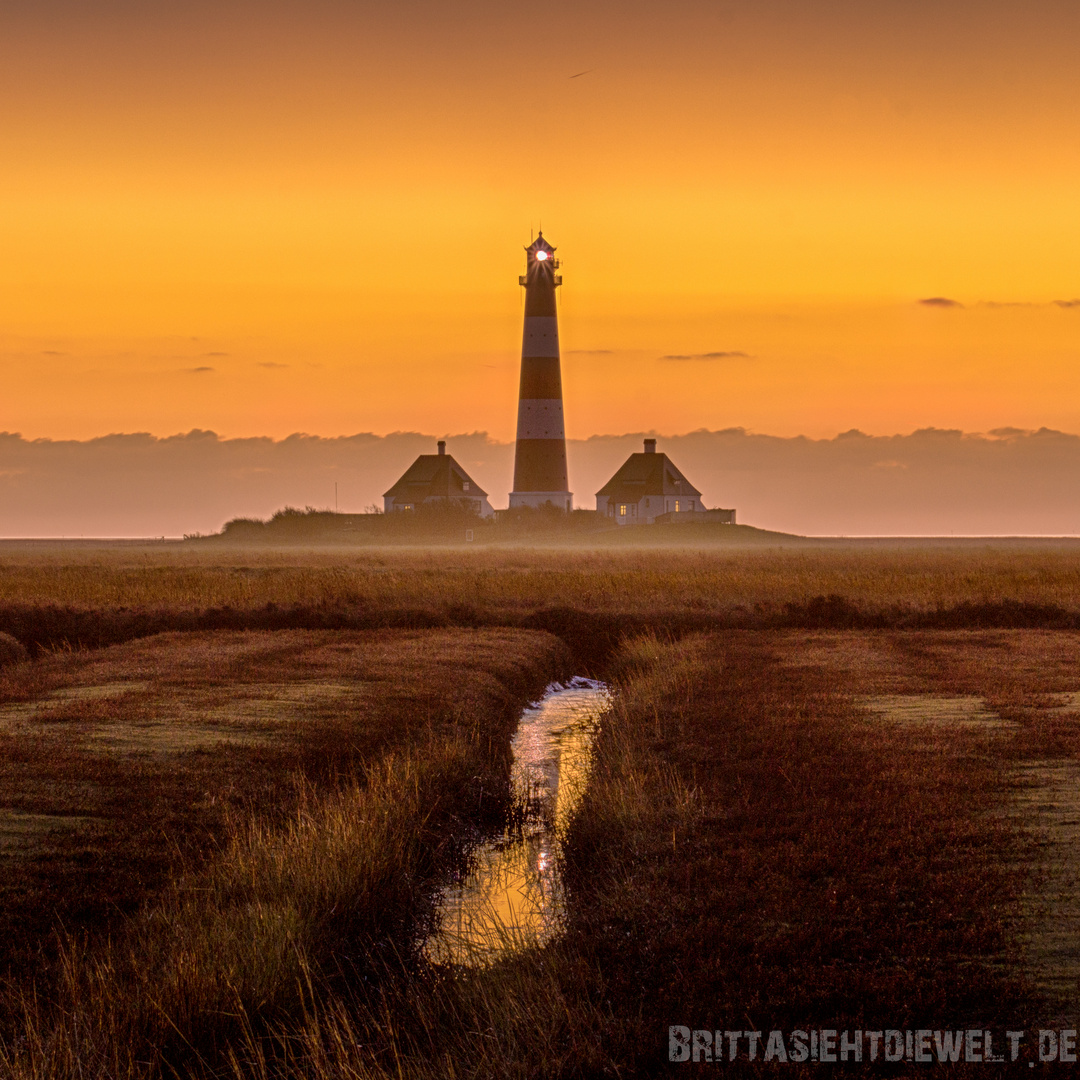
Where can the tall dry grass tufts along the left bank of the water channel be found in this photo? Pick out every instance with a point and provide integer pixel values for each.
(240, 946)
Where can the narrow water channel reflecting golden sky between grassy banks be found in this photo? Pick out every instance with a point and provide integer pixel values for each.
(512, 896)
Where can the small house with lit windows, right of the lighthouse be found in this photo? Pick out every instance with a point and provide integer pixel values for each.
(650, 489)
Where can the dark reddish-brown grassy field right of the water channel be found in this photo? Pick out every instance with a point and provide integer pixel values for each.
(784, 831)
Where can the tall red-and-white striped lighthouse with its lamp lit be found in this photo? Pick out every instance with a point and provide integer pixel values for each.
(541, 456)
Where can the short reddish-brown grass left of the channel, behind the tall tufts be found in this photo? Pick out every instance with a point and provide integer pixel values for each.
(119, 766)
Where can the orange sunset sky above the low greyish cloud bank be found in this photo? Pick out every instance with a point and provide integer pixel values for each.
(277, 218)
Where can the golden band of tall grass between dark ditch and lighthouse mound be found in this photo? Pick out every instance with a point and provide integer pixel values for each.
(518, 580)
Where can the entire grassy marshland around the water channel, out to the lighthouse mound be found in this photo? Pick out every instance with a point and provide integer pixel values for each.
(225, 843)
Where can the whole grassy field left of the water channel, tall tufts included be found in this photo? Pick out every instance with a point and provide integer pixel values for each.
(228, 806)
